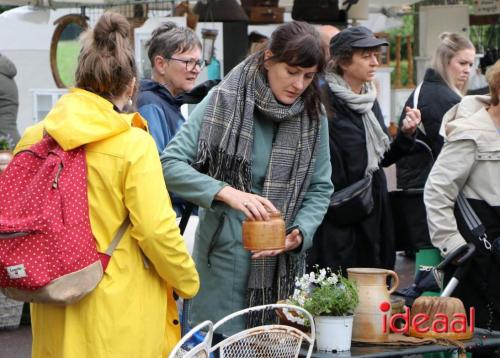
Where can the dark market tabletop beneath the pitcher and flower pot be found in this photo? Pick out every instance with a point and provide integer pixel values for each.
(482, 338)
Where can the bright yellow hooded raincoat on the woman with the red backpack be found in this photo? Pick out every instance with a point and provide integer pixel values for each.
(126, 315)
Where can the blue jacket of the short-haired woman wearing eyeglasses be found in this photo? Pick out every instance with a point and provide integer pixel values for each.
(162, 111)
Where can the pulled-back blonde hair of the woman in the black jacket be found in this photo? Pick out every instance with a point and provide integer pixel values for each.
(450, 44)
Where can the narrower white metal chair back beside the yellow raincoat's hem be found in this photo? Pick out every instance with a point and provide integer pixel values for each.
(201, 350)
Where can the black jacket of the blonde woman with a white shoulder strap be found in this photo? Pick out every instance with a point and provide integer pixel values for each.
(435, 99)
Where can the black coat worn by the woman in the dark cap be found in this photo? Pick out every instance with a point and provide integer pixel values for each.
(369, 243)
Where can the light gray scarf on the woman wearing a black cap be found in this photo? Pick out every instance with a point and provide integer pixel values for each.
(377, 141)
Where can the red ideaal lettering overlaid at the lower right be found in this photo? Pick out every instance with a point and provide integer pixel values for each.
(420, 322)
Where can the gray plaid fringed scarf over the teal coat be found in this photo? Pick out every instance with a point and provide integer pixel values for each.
(225, 153)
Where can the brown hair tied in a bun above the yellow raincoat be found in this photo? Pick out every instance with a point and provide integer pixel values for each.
(106, 63)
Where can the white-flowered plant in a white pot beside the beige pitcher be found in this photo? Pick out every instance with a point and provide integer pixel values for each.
(331, 298)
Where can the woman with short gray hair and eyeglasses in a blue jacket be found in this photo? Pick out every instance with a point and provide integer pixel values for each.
(175, 56)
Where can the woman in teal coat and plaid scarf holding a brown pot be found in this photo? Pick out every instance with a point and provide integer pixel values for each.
(256, 144)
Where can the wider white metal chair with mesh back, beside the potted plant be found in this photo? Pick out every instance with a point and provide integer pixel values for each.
(266, 341)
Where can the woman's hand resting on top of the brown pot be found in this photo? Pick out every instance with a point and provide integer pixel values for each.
(255, 207)
